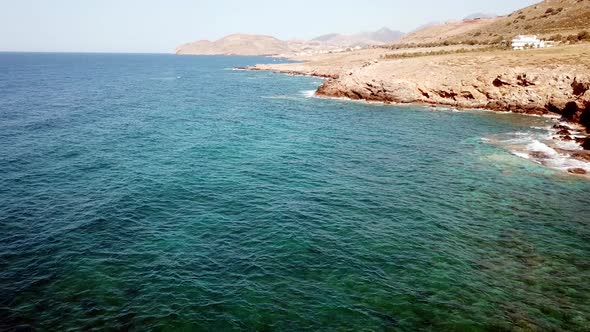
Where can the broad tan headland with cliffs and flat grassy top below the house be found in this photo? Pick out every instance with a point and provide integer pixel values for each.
(541, 81)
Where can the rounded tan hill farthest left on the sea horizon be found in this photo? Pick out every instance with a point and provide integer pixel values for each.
(237, 44)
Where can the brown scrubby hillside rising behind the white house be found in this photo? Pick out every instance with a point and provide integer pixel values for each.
(547, 19)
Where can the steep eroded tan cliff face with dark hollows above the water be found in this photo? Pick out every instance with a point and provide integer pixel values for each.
(521, 90)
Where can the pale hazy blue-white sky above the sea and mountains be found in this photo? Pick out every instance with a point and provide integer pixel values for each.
(160, 25)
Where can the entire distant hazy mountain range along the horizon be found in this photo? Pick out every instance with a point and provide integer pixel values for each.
(245, 44)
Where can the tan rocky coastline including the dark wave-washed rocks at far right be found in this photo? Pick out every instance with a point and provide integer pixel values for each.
(488, 81)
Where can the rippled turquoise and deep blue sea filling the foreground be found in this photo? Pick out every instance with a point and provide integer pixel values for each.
(154, 192)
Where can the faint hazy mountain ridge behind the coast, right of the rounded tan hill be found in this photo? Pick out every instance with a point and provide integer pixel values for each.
(379, 37)
